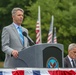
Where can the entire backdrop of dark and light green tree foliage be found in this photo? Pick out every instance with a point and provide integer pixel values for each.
(64, 18)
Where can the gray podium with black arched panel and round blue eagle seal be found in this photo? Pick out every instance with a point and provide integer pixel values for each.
(40, 56)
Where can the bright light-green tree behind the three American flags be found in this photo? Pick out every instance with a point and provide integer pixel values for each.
(64, 14)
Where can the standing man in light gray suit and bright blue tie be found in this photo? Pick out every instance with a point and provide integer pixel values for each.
(13, 40)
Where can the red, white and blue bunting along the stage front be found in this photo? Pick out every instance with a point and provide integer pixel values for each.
(38, 72)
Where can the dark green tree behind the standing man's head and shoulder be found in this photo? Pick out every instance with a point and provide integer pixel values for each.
(5, 14)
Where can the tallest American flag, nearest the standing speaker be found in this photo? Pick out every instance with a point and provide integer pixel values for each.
(38, 28)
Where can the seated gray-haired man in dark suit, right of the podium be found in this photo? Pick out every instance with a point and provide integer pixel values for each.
(70, 59)
